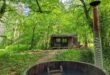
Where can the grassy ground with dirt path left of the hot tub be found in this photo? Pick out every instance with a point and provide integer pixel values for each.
(15, 63)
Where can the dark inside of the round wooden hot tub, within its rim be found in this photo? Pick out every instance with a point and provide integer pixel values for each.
(64, 68)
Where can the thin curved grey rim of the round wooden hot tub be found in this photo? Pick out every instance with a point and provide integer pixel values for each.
(104, 71)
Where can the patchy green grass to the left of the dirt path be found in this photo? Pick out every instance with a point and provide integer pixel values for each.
(15, 63)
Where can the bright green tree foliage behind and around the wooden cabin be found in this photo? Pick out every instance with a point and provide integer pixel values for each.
(35, 30)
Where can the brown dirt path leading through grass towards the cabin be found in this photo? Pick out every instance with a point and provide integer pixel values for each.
(50, 54)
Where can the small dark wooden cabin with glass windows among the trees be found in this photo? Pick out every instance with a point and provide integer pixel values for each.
(63, 41)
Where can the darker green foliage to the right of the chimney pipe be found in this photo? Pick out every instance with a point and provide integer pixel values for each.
(105, 28)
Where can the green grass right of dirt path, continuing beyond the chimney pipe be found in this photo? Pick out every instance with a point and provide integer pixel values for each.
(82, 55)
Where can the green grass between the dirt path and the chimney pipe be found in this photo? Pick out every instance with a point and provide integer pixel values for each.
(83, 55)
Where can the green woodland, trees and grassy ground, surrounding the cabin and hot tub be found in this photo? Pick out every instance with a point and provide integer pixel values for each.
(26, 27)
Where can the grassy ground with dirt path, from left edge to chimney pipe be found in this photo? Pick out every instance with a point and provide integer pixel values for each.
(16, 63)
